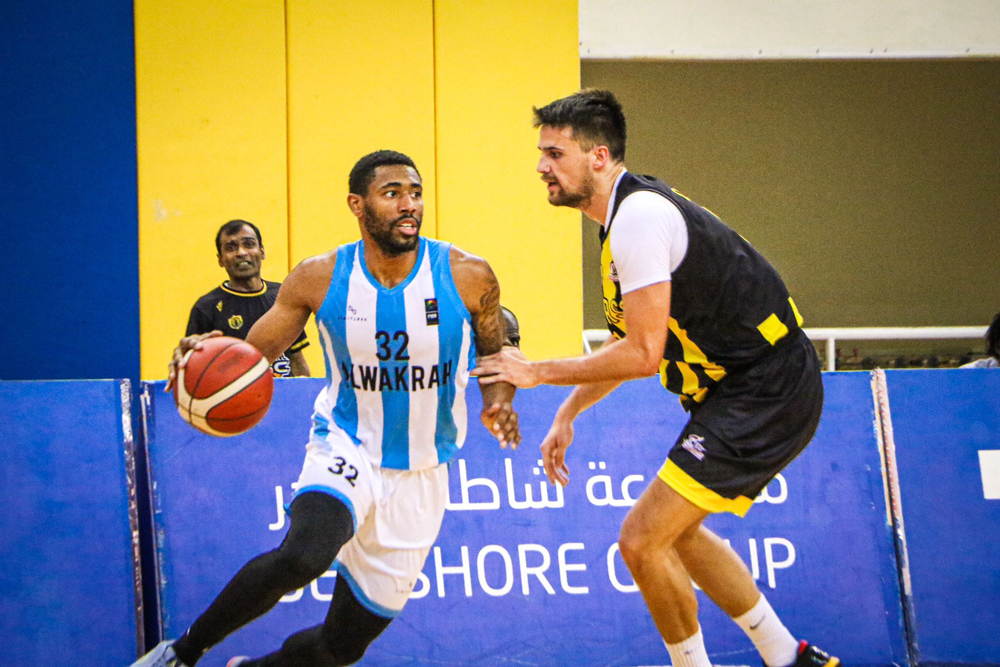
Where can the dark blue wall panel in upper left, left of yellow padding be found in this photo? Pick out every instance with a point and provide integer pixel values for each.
(69, 258)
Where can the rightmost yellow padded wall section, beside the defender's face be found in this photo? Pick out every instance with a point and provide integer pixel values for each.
(494, 60)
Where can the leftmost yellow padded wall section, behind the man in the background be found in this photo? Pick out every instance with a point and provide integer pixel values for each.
(210, 97)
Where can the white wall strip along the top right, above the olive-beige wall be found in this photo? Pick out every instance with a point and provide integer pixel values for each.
(730, 29)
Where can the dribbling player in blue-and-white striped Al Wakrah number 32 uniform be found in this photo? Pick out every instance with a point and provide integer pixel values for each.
(401, 320)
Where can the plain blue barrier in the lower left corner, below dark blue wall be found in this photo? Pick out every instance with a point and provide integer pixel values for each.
(66, 570)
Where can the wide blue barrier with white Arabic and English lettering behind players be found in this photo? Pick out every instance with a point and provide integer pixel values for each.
(524, 571)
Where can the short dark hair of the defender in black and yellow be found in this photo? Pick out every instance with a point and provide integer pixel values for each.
(595, 116)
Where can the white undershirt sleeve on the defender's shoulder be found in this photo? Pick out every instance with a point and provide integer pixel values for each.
(648, 240)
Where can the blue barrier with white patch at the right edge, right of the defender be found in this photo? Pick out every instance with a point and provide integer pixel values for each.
(947, 442)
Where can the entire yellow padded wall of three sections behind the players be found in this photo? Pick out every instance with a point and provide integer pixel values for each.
(259, 109)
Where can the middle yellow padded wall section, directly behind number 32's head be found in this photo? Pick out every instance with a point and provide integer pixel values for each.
(360, 79)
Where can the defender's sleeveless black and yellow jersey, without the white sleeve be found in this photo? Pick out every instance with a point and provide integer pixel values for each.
(728, 307)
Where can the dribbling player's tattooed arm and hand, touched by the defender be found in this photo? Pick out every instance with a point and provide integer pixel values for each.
(480, 291)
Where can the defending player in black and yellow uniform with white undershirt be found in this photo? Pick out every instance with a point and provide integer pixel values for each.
(689, 298)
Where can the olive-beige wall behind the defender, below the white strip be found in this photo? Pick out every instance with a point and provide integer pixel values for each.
(871, 185)
